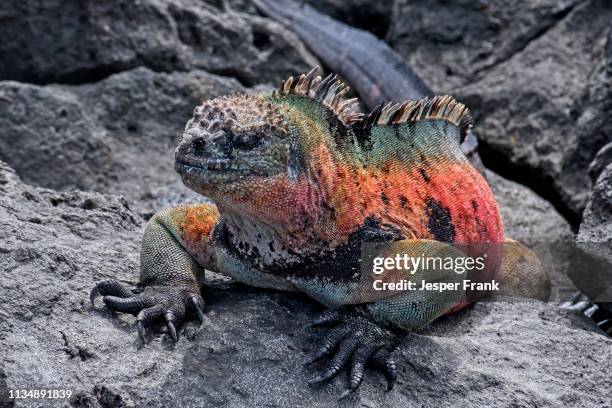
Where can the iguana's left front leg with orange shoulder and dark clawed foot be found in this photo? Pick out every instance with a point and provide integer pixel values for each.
(175, 247)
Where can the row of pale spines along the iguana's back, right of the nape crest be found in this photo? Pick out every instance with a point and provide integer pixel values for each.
(441, 107)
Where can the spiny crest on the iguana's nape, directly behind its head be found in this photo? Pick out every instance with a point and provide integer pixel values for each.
(330, 91)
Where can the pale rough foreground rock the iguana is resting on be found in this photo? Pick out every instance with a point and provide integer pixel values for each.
(248, 351)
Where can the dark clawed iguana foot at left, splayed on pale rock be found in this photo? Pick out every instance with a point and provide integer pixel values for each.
(170, 303)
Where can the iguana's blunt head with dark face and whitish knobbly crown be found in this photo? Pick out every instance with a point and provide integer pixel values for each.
(230, 139)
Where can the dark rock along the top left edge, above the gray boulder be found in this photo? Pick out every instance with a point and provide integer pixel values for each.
(79, 41)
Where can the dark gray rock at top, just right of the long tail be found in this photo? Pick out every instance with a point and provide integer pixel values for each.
(450, 44)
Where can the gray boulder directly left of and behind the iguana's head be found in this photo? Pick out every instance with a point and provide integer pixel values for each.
(117, 135)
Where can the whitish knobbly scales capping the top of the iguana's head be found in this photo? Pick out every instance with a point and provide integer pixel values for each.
(239, 113)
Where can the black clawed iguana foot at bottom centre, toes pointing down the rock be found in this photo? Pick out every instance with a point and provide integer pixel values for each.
(358, 338)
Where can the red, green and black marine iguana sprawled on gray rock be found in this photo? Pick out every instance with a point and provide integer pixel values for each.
(300, 182)
